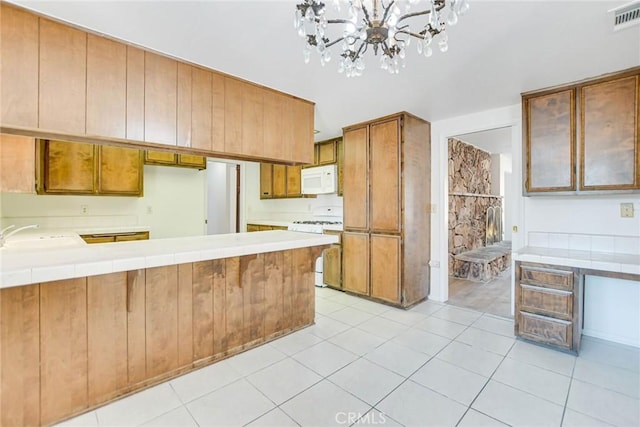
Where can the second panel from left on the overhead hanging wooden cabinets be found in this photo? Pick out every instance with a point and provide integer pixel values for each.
(63, 78)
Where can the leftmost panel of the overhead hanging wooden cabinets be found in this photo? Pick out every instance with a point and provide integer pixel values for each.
(19, 58)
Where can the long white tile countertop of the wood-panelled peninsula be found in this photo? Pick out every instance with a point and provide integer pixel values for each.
(26, 266)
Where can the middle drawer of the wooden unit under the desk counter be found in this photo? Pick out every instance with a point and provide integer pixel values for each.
(552, 302)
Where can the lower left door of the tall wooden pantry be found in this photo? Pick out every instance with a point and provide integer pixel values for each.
(355, 262)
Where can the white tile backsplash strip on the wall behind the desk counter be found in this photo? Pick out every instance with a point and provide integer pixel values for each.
(585, 242)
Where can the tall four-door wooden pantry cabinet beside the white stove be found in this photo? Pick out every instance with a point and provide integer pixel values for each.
(387, 179)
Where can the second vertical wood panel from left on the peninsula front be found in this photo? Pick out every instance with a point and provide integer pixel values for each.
(63, 349)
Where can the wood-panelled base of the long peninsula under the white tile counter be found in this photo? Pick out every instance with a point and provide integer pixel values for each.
(70, 345)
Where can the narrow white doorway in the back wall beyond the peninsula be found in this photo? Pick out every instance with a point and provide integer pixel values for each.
(223, 197)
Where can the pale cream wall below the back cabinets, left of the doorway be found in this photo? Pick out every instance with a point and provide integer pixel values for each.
(173, 205)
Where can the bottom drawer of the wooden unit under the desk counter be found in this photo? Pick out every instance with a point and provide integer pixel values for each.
(545, 330)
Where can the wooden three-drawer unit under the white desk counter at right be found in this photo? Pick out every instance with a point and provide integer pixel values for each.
(548, 305)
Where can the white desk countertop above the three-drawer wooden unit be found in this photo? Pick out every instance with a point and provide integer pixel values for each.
(604, 261)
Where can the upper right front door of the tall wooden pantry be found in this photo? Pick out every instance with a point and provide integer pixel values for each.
(384, 177)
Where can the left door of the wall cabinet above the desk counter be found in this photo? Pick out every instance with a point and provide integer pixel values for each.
(550, 142)
